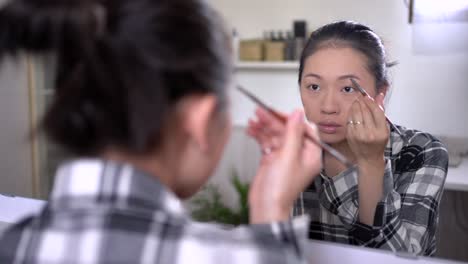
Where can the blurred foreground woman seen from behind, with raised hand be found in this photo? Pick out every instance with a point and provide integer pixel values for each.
(140, 99)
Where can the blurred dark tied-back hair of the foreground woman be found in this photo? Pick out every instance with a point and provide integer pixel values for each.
(122, 65)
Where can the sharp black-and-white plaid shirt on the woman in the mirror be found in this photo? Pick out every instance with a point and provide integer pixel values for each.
(406, 218)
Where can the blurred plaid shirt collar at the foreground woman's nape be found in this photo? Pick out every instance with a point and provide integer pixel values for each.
(94, 182)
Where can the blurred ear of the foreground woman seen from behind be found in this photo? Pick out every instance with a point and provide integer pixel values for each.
(198, 113)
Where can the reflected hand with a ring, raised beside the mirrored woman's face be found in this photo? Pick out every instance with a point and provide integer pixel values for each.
(367, 131)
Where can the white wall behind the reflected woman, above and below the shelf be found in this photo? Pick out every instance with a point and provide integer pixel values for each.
(430, 93)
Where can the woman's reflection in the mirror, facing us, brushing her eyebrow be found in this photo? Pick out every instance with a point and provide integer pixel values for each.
(392, 200)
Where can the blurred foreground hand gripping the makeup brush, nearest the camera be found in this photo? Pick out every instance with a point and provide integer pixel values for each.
(286, 169)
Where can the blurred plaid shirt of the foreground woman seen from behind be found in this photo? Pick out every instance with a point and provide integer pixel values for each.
(104, 212)
